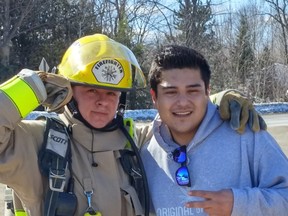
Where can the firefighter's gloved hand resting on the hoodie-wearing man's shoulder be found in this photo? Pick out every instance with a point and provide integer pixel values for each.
(240, 111)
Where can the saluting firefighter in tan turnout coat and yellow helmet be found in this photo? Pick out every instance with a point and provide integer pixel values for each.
(90, 179)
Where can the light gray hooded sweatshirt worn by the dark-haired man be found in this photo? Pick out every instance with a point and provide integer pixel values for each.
(251, 164)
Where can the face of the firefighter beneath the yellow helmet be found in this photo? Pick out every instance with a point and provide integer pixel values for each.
(97, 106)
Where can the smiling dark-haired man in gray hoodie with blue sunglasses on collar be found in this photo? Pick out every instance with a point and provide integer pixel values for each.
(195, 163)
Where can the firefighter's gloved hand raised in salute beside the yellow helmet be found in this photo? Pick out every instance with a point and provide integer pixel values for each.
(59, 91)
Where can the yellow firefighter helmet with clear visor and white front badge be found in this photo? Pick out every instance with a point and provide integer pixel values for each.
(99, 61)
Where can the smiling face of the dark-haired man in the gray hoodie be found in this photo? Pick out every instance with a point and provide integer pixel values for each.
(181, 102)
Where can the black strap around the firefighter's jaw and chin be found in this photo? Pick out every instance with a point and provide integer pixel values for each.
(113, 125)
